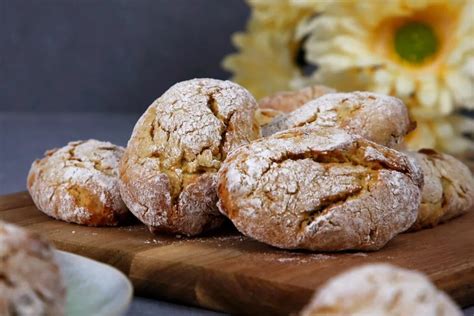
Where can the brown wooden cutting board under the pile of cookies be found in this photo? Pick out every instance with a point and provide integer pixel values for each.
(228, 272)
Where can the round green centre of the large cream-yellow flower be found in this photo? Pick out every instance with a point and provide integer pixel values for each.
(415, 42)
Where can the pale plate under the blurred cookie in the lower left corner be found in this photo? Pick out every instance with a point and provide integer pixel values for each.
(93, 288)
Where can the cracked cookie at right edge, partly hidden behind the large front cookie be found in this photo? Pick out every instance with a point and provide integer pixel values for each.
(448, 190)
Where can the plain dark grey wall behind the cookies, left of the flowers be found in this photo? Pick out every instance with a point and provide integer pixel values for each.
(109, 55)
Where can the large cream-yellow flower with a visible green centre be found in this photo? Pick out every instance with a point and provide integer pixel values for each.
(419, 50)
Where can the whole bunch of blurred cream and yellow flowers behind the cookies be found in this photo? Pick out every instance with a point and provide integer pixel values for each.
(421, 51)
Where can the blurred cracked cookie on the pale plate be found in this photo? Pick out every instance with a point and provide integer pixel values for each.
(30, 279)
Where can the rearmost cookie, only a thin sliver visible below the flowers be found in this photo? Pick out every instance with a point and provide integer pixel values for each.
(288, 101)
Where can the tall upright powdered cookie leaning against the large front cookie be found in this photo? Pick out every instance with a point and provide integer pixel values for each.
(168, 172)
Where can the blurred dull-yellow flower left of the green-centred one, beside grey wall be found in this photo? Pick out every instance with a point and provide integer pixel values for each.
(266, 61)
